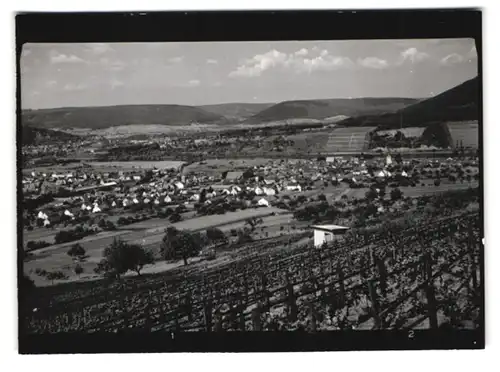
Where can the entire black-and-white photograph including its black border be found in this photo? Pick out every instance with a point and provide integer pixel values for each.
(320, 190)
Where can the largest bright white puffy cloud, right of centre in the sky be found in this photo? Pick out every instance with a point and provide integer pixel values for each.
(296, 62)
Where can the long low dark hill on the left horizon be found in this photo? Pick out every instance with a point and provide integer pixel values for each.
(111, 116)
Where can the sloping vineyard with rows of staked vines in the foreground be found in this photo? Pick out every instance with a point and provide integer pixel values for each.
(424, 276)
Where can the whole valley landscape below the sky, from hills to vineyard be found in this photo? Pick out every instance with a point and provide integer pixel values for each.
(328, 223)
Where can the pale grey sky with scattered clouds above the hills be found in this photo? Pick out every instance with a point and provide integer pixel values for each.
(62, 75)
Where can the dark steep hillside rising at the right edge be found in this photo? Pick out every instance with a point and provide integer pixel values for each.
(456, 104)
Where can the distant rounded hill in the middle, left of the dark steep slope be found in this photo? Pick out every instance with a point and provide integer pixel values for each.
(325, 108)
